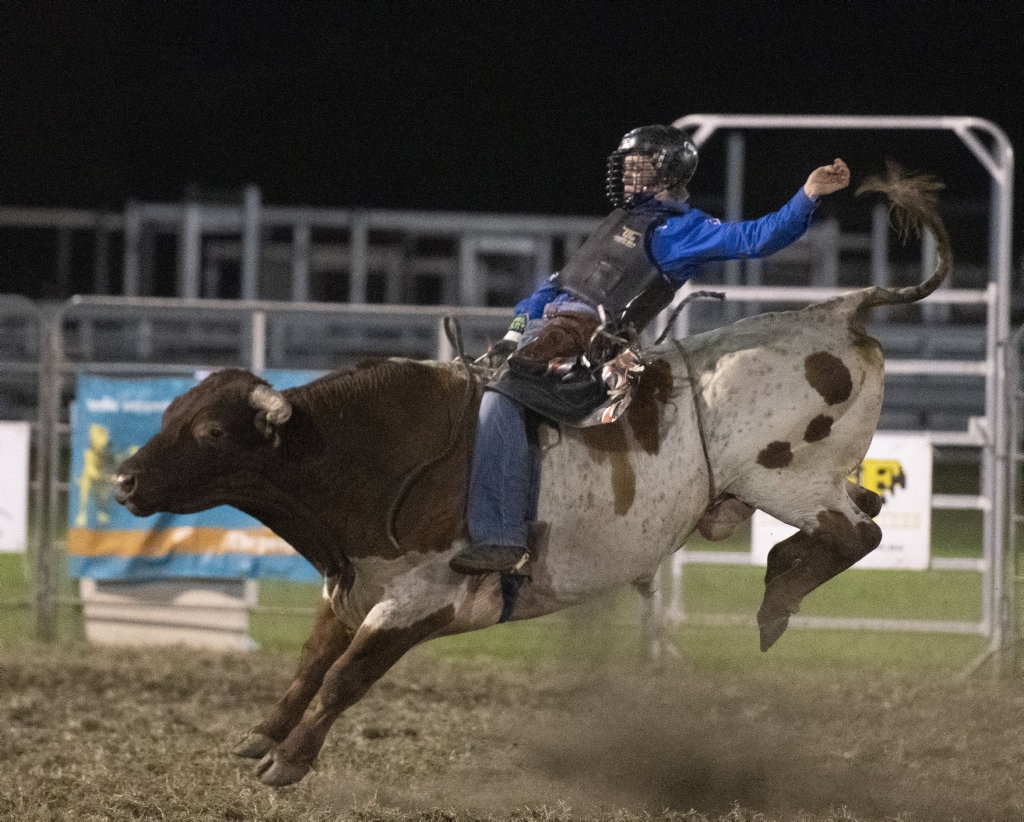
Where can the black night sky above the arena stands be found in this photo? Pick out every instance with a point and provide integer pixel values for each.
(489, 106)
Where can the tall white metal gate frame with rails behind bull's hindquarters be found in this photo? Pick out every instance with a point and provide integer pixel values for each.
(992, 434)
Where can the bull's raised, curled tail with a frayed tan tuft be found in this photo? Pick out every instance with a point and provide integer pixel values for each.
(914, 207)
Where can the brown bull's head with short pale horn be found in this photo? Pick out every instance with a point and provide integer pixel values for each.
(215, 444)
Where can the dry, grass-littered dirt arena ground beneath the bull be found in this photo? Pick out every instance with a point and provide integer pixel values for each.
(112, 734)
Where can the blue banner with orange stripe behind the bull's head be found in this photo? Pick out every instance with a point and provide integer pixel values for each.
(112, 419)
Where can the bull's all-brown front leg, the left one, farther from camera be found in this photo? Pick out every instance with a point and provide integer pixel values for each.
(328, 642)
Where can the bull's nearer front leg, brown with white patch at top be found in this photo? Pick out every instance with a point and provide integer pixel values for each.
(387, 634)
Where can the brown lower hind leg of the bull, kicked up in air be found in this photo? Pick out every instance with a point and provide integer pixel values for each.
(838, 539)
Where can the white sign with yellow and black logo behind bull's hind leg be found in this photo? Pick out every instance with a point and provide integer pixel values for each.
(899, 468)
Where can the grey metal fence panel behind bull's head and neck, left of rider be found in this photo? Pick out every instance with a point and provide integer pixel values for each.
(145, 337)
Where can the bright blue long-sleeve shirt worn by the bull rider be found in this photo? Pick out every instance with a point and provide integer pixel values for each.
(689, 239)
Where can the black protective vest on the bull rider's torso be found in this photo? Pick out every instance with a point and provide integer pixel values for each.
(613, 269)
